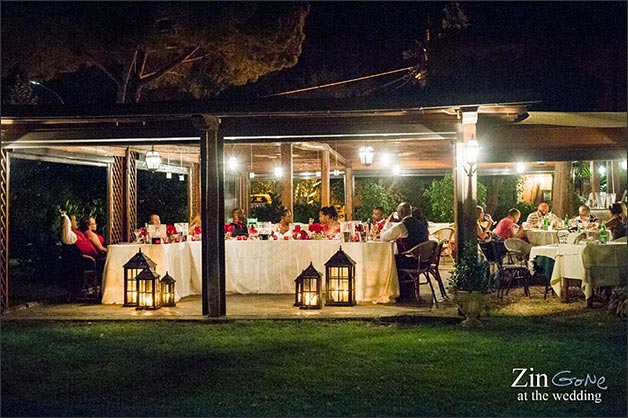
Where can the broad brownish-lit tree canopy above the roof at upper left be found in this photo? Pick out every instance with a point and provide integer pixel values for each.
(154, 51)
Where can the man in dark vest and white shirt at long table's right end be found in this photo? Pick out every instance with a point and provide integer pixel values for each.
(407, 231)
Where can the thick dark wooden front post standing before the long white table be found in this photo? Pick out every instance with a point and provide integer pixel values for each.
(212, 218)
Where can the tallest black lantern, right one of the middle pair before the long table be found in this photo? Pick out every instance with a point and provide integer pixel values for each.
(340, 280)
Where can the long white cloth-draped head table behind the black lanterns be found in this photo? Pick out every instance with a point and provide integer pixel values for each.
(259, 267)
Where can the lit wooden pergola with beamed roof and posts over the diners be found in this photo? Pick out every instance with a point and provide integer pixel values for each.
(301, 137)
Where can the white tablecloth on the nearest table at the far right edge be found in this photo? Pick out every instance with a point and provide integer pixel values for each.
(570, 262)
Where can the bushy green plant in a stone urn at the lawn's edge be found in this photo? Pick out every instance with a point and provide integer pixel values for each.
(470, 284)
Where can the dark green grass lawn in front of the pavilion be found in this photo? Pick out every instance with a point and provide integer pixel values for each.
(308, 368)
